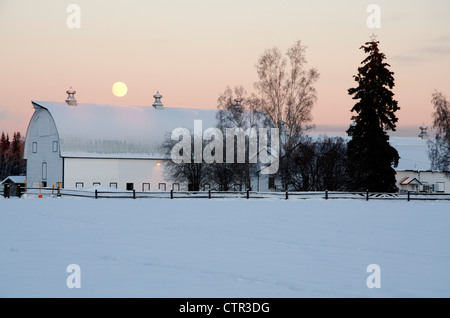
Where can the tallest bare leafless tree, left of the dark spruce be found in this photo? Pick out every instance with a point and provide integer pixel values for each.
(287, 94)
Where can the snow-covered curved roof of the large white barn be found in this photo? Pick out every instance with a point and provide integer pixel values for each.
(107, 131)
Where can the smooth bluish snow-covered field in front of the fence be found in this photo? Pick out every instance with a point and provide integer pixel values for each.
(223, 248)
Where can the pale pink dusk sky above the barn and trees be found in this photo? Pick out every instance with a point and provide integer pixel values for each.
(191, 50)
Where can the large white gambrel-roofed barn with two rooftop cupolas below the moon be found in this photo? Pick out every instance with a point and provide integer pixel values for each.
(83, 145)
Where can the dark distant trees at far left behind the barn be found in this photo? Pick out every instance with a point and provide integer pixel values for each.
(11, 156)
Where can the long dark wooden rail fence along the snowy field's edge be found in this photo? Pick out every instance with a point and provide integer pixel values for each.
(288, 195)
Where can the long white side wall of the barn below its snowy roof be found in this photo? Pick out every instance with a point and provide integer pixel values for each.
(120, 171)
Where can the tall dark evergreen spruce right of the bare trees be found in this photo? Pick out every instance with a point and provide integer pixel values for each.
(371, 159)
